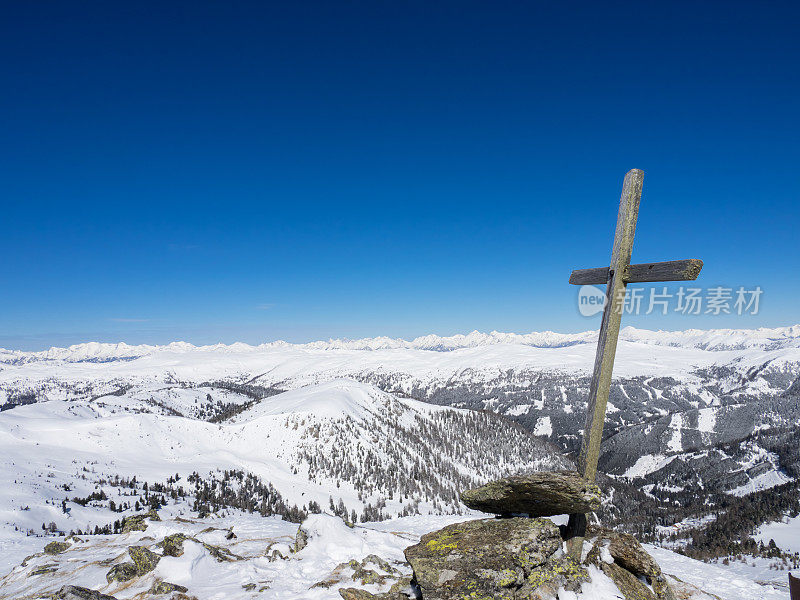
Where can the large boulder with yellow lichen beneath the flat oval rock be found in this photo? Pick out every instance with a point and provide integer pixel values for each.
(494, 558)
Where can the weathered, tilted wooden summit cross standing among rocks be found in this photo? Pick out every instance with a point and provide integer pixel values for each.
(616, 277)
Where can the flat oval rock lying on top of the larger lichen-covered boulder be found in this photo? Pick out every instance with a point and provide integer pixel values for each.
(537, 495)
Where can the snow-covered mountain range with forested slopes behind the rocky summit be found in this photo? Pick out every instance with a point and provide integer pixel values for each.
(381, 428)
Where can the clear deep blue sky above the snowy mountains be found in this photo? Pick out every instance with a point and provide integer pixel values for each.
(222, 171)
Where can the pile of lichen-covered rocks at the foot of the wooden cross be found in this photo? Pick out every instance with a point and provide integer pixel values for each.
(520, 556)
